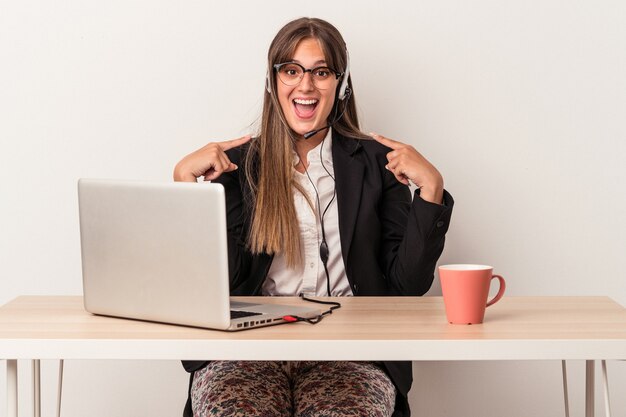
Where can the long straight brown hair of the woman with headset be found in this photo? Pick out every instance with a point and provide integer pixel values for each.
(269, 161)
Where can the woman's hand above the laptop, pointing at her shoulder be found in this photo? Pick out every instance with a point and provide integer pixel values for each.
(209, 161)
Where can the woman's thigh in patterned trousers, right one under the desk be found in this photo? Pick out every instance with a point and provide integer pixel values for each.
(342, 389)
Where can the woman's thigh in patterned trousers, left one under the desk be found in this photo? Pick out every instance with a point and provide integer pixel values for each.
(241, 388)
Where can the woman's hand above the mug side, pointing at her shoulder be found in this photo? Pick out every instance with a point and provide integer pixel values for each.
(408, 164)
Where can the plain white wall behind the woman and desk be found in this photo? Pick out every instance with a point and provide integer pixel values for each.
(520, 104)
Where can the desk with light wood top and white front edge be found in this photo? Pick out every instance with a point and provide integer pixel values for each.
(386, 328)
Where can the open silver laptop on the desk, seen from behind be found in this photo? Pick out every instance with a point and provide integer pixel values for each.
(157, 251)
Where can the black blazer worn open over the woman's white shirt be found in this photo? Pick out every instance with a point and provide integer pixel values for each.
(390, 242)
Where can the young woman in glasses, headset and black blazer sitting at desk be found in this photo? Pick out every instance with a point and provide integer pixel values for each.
(316, 207)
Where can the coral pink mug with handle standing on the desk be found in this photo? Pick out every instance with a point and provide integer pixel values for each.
(465, 290)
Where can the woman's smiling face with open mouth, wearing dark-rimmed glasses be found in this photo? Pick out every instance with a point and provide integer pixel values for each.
(307, 108)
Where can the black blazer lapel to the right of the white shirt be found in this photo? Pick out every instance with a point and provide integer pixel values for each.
(348, 183)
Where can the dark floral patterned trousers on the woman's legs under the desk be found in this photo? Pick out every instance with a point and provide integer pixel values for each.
(302, 389)
